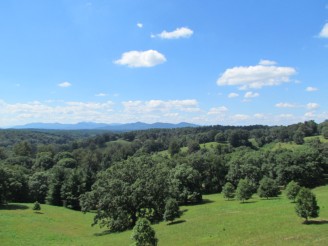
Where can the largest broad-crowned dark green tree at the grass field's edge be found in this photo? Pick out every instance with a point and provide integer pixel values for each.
(130, 187)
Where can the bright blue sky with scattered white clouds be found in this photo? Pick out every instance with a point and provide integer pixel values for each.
(229, 62)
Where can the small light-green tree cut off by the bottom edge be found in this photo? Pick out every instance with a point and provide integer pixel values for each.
(143, 234)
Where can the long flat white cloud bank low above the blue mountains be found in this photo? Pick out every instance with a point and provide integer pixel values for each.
(144, 107)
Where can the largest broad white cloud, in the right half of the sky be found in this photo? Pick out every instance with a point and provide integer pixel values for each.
(256, 76)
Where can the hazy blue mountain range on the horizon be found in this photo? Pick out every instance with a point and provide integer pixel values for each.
(102, 126)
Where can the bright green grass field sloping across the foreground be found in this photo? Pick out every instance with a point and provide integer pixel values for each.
(216, 222)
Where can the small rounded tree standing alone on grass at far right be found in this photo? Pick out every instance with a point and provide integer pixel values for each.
(306, 204)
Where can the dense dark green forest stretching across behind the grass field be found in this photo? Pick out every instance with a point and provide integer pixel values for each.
(138, 174)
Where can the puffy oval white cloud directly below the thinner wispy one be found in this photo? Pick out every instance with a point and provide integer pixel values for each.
(149, 58)
